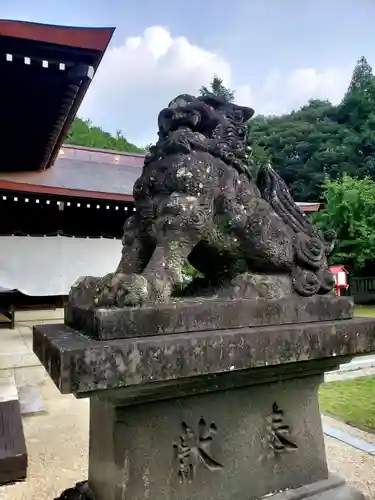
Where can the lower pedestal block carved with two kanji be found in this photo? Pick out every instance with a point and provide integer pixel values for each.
(160, 450)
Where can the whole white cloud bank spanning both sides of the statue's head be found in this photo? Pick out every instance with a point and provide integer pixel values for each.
(139, 77)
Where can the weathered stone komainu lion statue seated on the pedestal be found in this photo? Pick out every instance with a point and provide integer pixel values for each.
(198, 201)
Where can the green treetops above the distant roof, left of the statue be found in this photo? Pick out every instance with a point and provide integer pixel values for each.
(83, 133)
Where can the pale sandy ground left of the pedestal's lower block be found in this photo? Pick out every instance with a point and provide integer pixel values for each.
(57, 443)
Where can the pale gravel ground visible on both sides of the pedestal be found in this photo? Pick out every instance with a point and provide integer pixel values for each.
(57, 443)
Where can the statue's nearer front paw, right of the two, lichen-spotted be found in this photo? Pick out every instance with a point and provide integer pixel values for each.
(122, 290)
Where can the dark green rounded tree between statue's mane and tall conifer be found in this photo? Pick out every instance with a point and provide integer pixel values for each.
(303, 147)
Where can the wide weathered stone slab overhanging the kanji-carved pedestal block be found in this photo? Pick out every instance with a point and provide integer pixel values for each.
(80, 364)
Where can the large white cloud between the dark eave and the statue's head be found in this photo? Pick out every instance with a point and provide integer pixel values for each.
(139, 77)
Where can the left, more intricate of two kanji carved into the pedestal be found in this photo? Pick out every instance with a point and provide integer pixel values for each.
(195, 448)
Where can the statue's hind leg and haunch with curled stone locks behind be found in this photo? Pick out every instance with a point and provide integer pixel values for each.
(281, 261)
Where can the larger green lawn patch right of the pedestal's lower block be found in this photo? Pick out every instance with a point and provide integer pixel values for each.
(352, 401)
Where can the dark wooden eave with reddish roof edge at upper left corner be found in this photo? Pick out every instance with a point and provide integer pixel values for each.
(45, 73)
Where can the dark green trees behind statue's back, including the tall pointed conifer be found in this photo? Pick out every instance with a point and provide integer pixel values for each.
(320, 139)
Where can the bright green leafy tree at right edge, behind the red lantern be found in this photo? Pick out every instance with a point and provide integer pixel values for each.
(349, 209)
